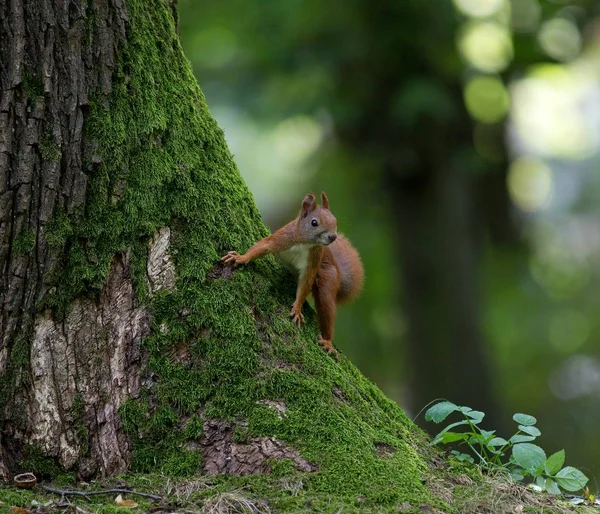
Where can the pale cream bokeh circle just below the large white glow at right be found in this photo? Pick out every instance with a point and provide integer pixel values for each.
(530, 184)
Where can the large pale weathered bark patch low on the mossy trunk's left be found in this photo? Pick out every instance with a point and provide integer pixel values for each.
(82, 370)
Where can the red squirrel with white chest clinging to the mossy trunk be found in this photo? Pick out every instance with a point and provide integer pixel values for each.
(324, 261)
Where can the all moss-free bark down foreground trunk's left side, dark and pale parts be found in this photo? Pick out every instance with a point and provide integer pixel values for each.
(52, 61)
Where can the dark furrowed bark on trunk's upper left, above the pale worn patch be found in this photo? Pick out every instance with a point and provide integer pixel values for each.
(52, 61)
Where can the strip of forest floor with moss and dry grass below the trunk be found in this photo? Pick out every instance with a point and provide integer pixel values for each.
(263, 495)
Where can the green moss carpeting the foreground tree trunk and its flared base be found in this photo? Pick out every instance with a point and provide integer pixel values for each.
(161, 160)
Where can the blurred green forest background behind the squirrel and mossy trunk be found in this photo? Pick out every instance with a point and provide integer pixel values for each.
(458, 141)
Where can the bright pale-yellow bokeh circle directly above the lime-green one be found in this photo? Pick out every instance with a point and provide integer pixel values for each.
(487, 46)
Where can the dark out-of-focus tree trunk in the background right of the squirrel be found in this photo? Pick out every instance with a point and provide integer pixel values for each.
(407, 89)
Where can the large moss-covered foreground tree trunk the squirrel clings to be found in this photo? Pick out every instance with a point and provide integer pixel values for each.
(125, 344)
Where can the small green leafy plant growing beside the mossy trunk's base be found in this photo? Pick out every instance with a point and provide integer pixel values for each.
(526, 459)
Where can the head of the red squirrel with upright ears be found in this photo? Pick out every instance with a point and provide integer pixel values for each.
(316, 223)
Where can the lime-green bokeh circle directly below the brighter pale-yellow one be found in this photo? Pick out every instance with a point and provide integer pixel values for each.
(486, 99)
